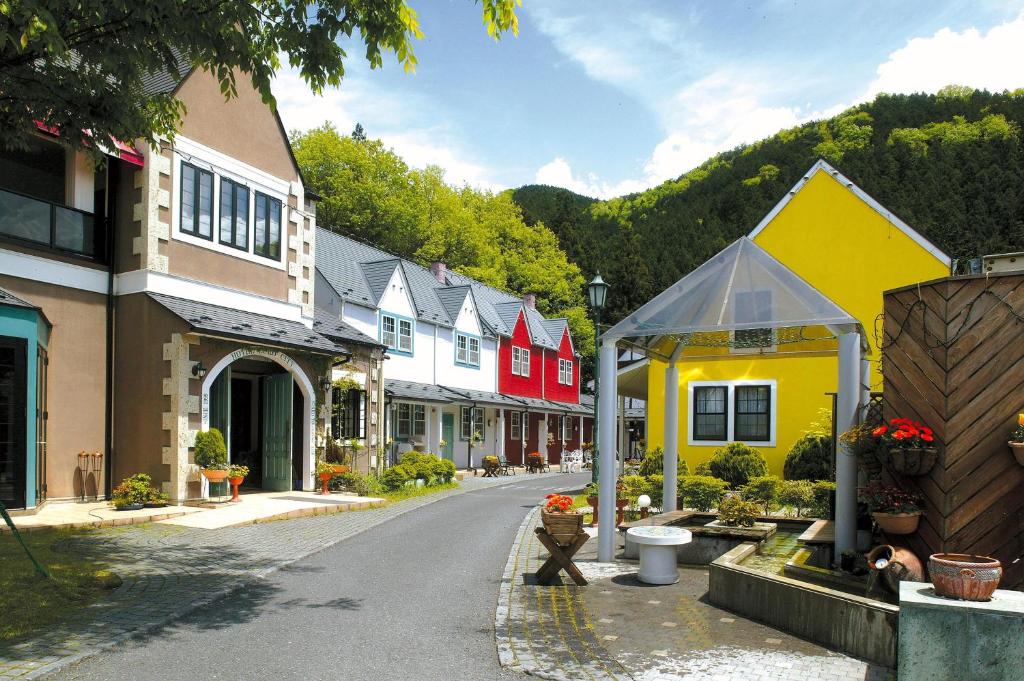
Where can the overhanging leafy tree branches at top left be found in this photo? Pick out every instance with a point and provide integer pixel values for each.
(82, 65)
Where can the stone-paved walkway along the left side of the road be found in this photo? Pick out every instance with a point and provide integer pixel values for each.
(170, 571)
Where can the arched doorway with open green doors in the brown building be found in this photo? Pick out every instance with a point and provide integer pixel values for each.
(265, 404)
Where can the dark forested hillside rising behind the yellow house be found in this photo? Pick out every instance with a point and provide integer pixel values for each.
(950, 165)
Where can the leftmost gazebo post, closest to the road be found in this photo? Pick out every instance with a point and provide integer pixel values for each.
(607, 425)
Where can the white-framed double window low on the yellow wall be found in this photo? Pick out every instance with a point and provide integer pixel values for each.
(722, 412)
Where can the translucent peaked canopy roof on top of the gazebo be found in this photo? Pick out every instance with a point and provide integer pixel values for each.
(742, 288)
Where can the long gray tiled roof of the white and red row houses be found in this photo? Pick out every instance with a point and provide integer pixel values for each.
(343, 263)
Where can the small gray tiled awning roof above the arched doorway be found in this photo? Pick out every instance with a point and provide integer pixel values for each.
(231, 323)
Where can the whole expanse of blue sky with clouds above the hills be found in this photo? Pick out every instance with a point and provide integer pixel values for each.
(608, 98)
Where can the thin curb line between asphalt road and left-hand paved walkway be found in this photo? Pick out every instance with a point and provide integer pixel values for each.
(217, 594)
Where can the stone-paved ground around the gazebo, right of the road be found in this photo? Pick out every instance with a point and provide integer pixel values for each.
(618, 628)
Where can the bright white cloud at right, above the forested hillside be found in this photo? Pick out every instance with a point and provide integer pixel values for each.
(991, 61)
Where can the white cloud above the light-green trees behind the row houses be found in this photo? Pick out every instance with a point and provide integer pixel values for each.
(385, 116)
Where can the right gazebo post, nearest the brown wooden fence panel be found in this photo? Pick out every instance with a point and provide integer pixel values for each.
(846, 463)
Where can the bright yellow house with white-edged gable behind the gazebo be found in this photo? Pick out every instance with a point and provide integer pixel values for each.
(764, 388)
